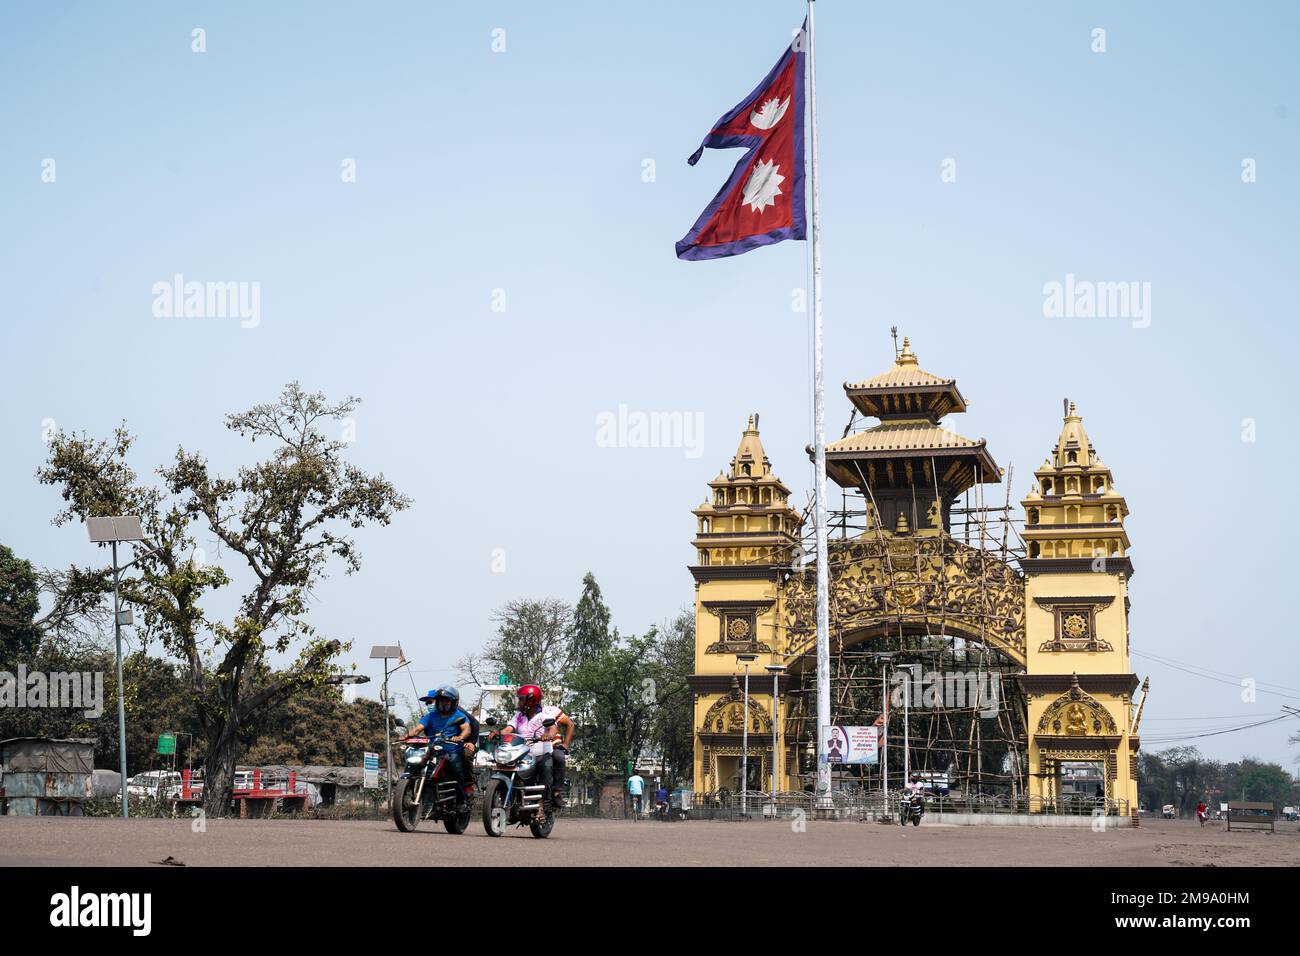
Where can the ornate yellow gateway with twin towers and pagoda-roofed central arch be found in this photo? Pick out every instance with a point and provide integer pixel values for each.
(1037, 604)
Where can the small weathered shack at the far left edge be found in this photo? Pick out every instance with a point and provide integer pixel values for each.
(42, 777)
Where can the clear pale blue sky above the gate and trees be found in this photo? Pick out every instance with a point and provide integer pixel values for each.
(522, 171)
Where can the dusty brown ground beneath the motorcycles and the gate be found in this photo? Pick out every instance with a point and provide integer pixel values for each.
(38, 842)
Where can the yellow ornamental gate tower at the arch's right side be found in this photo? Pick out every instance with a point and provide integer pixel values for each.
(1078, 676)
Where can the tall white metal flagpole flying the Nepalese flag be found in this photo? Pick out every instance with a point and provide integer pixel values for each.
(824, 621)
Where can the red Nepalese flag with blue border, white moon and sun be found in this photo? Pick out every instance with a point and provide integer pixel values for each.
(764, 200)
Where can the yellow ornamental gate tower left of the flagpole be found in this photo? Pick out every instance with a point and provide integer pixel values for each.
(747, 538)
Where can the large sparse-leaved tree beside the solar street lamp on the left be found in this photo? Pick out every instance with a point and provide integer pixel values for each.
(284, 518)
